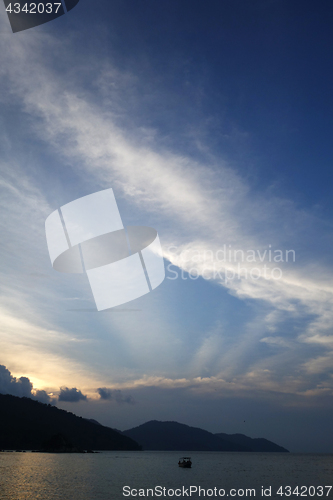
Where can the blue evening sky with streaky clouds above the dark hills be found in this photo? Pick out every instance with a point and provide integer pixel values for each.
(211, 122)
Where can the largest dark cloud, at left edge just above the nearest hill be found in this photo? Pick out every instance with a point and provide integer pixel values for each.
(21, 387)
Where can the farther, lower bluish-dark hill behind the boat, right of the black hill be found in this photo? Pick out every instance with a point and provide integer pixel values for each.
(172, 436)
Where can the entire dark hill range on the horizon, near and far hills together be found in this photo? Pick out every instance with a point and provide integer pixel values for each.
(26, 424)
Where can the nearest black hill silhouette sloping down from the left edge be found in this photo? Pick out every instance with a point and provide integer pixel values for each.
(29, 425)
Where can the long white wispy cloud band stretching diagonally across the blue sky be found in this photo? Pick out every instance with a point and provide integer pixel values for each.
(200, 206)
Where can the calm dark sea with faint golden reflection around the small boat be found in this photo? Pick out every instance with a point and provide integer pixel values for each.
(31, 476)
